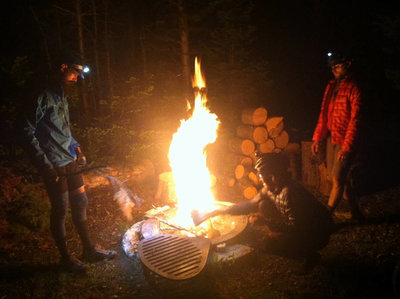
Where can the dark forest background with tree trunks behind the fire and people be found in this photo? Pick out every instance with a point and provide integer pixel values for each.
(253, 52)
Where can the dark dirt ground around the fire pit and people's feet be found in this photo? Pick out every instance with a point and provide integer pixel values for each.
(359, 261)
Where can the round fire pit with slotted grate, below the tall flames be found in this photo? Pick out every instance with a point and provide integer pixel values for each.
(179, 253)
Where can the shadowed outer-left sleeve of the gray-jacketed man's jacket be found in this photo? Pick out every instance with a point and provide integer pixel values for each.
(33, 144)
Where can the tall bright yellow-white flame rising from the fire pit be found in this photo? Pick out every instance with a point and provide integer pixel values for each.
(188, 157)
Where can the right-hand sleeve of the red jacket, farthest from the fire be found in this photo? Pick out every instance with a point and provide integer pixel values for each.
(353, 126)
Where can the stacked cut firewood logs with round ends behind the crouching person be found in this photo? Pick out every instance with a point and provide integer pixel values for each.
(256, 133)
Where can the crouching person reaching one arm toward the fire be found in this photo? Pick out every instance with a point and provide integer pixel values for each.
(300, 225)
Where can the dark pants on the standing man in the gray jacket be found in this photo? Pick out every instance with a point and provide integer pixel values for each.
(61, 198)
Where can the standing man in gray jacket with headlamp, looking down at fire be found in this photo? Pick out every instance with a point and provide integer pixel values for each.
(58, 157)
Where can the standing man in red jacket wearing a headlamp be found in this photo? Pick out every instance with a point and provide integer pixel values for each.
(338, 124)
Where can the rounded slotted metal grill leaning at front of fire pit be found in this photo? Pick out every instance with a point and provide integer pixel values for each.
(174, 257)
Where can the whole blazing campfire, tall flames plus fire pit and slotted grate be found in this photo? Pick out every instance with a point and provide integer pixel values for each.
(168, 233)
